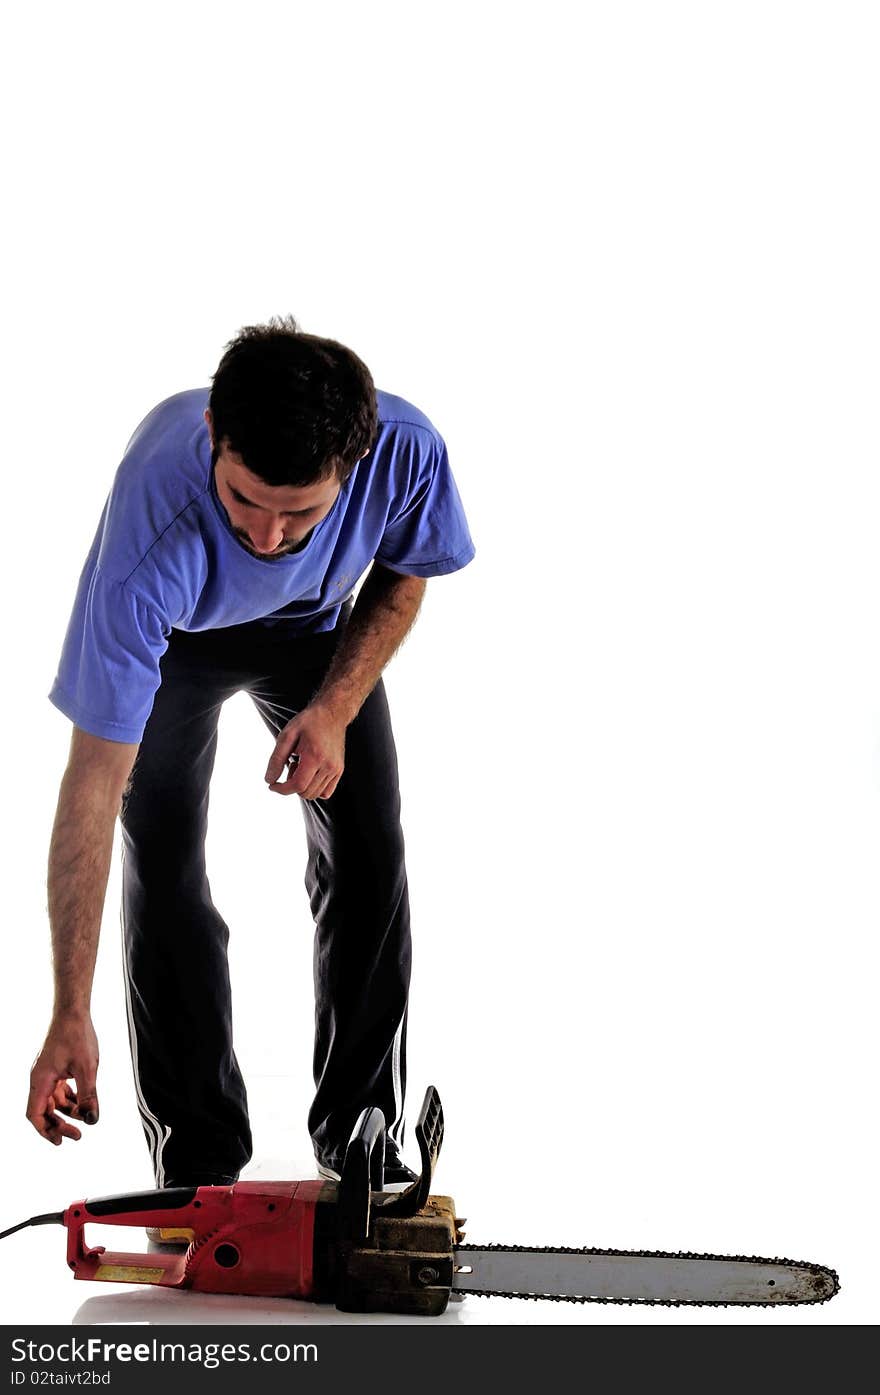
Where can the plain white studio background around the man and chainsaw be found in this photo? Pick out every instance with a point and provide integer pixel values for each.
(625, 257)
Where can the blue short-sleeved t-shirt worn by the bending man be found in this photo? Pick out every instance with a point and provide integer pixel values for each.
(165, 556)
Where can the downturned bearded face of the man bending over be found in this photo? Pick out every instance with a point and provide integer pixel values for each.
(270, 521)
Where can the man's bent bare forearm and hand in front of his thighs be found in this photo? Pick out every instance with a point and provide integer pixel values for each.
(384, 613)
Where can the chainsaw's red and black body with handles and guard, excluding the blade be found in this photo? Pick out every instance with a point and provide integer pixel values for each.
(348, 1242)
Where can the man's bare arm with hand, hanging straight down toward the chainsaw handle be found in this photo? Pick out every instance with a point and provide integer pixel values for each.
(80, 856)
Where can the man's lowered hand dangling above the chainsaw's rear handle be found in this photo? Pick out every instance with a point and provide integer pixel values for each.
(70, 1054)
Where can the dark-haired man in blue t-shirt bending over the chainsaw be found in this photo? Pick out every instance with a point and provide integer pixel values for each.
(225, 561)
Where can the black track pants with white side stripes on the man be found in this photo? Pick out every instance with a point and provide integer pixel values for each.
(192, 1096)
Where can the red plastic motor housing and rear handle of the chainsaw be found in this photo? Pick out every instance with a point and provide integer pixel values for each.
(250, 1238)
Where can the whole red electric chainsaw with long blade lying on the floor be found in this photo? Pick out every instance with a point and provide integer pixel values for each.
(369, 1251)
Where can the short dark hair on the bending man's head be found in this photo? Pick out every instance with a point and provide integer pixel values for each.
(295, 408)
